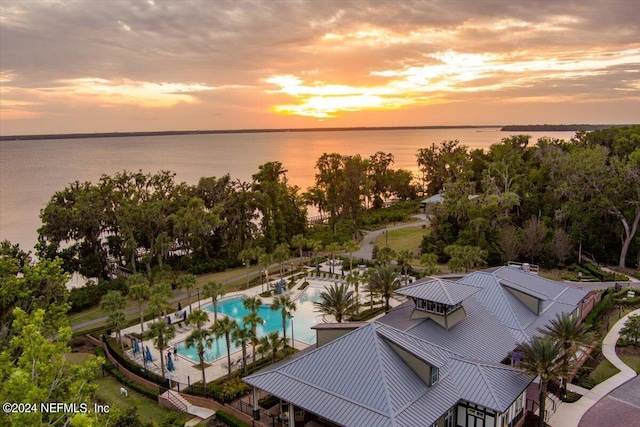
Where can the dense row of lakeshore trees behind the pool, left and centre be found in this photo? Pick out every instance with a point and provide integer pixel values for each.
(143, 220)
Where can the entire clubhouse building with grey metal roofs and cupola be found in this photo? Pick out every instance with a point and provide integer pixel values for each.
(443, 358)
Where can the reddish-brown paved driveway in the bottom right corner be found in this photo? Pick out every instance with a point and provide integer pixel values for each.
(620, 408)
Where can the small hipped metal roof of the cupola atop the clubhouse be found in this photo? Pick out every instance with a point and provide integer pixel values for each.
(439, 290)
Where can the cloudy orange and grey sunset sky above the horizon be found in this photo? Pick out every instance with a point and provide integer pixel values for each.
(153, 65)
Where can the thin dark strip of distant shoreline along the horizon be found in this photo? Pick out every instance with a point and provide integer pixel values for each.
(514, 128)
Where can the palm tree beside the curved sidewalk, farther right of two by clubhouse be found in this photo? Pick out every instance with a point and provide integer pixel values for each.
(569, 332)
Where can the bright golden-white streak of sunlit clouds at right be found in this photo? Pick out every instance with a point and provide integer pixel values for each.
(452, 73)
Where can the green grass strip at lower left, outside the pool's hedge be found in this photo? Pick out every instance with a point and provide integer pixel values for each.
(149, 410)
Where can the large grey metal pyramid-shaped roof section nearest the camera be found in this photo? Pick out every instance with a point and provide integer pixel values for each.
(358, 379)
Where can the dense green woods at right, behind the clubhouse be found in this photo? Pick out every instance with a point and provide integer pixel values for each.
(544, 204)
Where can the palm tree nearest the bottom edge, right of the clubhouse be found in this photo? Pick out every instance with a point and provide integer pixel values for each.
(539, 358)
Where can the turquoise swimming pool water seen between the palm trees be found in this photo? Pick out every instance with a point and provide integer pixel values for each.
(304, 318)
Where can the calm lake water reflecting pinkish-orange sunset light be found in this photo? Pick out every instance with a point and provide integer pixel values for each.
(32, 171)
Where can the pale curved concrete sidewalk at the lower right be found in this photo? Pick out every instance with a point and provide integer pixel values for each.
(569, 414)
